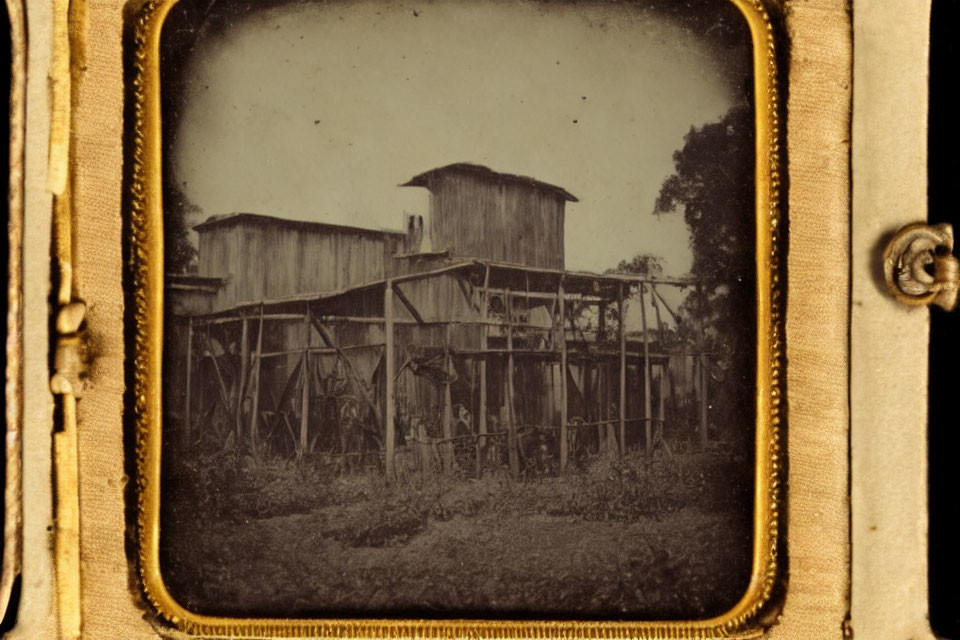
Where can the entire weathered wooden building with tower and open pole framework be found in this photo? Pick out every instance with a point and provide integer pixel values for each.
(416, 362)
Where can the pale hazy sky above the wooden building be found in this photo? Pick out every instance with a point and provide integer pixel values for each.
(318, 111)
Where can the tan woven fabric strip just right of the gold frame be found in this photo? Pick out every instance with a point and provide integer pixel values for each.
(818, 143)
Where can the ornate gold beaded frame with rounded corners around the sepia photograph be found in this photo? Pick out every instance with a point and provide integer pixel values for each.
(147, 242)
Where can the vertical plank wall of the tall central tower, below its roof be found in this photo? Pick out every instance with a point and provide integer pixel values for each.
(480, 217)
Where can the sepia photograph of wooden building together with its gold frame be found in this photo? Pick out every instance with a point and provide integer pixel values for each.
(456, 318)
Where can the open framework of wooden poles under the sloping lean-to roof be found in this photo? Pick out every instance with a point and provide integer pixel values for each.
(262, 358)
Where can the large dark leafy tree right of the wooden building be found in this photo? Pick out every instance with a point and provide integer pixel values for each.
(713, 186)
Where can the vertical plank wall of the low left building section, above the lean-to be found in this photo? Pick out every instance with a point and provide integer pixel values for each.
(267, 261)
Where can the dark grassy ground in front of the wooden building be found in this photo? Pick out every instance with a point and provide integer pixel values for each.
(616, 538)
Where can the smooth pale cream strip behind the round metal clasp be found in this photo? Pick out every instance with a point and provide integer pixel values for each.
(889, 341)
